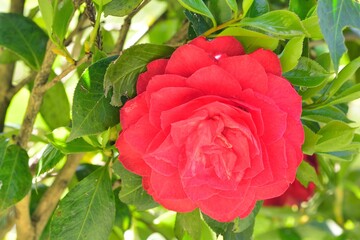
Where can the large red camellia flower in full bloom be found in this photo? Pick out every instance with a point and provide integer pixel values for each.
(213, 128)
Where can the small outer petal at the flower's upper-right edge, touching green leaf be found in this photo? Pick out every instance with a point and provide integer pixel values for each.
(268, 60)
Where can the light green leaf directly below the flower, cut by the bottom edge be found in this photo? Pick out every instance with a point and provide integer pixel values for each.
(188, 224)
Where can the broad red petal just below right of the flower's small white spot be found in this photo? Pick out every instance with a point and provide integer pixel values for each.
(247, 71)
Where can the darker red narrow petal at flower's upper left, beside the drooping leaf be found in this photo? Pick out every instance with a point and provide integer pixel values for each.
(155, 67)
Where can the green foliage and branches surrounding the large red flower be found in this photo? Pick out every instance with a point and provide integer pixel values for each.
(67, 67)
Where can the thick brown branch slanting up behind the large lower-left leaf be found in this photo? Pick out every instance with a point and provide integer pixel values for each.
(52, 196)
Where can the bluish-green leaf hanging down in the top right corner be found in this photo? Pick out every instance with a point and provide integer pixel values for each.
(334, 16)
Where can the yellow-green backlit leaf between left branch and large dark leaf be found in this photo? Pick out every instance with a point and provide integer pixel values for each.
(56, 116)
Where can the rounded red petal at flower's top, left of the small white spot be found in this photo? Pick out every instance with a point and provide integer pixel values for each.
(187, 59)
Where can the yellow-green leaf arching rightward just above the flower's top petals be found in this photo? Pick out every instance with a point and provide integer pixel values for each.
(251, 40)
